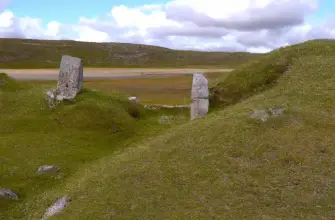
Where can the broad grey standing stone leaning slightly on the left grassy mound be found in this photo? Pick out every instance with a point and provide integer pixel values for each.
(70, 80)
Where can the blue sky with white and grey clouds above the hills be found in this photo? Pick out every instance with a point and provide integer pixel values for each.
(211, 25)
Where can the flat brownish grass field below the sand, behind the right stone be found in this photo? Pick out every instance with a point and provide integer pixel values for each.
(157, 90)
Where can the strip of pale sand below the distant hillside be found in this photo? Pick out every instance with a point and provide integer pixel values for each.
(108, 71)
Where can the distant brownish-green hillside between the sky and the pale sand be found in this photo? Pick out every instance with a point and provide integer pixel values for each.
(24, 53)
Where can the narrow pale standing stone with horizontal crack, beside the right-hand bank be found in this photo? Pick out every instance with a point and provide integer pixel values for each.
(199, 96)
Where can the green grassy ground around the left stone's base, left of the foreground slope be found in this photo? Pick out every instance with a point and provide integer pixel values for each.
(74, 134)
